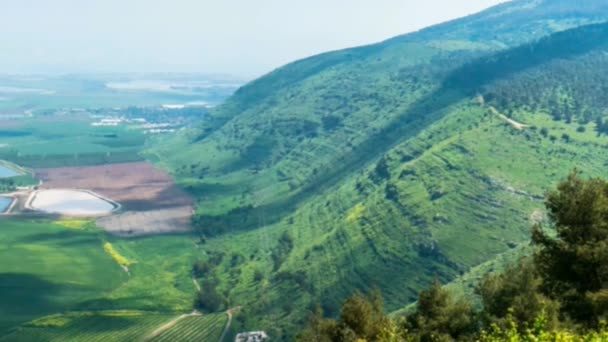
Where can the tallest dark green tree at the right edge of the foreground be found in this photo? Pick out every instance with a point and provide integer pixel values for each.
(574, 263)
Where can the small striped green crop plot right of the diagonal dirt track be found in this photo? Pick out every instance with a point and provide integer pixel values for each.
(196, 328)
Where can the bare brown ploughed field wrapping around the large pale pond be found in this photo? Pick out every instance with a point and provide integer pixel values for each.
(151, 202)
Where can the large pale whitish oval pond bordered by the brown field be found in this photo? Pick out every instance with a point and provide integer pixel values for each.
(71, 203)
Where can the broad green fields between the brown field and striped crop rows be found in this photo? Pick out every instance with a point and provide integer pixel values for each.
(50, 267)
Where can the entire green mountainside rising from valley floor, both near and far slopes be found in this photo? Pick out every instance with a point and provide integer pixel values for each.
(392, 164)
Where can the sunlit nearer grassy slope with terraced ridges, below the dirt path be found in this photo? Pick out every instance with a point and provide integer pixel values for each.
(400, 246)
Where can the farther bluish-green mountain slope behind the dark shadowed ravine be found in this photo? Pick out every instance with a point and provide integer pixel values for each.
(282, 137)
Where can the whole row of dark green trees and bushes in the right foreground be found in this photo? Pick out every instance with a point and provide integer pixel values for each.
(558, 294)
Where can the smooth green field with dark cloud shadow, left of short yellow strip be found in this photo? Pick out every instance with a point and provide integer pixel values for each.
(48, 267)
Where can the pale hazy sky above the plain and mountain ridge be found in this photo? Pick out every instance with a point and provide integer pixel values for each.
(241, 37)
